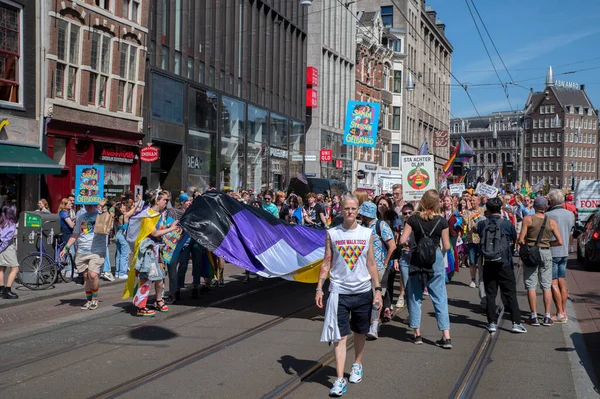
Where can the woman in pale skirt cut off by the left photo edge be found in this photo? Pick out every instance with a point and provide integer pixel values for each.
(8, 251)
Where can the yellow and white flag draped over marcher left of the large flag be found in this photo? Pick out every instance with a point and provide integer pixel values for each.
(140, 226)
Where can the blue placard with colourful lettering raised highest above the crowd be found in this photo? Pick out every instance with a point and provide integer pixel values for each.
(362, 119)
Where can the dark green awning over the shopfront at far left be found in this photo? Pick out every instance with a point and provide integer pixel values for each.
(18, 159)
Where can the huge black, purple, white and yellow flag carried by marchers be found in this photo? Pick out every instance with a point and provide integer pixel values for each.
(253, 239)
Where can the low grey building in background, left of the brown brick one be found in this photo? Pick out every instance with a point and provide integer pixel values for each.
(495, 139)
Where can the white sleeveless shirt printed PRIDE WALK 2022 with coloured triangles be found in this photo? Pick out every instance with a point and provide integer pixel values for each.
(349, 261)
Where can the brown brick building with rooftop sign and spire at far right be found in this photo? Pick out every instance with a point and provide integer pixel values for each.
(561, 135)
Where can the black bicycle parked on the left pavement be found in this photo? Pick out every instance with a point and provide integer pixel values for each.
(39, 270)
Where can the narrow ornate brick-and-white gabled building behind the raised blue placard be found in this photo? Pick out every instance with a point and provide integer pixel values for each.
(379, 79)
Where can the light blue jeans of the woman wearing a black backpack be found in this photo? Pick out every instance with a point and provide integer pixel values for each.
(437, 293)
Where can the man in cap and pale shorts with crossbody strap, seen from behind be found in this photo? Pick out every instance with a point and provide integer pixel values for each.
(532, 225)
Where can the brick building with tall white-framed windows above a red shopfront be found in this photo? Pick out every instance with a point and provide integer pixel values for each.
(94, 81)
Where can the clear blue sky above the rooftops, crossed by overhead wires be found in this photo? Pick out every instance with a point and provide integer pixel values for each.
(530, 36)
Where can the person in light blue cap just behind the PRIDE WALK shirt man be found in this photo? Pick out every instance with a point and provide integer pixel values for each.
(384, 246)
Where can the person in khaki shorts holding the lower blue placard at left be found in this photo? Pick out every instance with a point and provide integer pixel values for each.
(91, 250)
